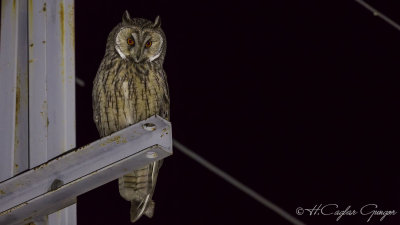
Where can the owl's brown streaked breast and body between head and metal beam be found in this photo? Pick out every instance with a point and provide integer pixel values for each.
(128, 93)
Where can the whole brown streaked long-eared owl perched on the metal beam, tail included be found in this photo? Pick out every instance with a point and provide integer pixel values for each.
(131, 86)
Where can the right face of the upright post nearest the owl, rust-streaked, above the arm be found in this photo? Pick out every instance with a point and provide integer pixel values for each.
(60, 69)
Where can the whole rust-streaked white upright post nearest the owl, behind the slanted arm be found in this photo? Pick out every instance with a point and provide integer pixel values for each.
(52, 87)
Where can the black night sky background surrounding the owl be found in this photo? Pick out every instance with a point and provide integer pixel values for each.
(296, 99)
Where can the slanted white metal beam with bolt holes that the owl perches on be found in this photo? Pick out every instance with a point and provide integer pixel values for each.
(55, 184)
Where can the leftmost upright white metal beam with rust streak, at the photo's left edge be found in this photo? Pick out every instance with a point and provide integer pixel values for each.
(13, 89)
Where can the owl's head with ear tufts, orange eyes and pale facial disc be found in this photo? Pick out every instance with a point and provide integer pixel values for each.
(138, 40)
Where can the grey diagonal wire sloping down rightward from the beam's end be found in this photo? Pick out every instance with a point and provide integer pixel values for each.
(237, 184)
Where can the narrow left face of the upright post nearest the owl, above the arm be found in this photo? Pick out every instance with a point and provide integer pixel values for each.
(38, 113)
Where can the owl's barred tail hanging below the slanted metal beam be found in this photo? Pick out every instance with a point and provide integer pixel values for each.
(138, 188)
